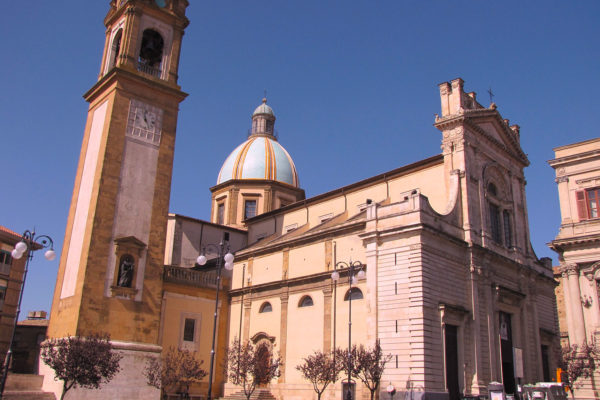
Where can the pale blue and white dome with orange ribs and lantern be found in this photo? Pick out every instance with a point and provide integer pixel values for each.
(261, 156)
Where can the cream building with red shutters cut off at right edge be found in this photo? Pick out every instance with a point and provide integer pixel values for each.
(577, 243)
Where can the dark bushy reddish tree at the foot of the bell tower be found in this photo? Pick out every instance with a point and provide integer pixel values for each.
(81, 361)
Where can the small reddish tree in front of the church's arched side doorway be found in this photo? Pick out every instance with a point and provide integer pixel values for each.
(249, 365)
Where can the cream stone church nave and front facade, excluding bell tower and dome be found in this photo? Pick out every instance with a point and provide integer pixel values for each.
(453, 289)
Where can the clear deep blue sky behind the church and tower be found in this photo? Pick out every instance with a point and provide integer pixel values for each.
(353, 85)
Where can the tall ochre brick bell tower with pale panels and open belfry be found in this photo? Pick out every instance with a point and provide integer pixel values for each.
(110, 274)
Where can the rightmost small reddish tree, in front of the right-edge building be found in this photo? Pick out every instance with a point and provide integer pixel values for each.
(578, 361)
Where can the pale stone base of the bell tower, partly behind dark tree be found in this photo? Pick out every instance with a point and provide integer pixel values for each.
(129, 383)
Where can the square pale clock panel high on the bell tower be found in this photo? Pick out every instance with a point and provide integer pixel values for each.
(144, 122)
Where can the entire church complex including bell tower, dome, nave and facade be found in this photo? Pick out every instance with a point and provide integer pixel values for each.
(452, 288)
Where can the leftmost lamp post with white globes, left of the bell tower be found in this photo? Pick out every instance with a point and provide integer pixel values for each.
(29, 243)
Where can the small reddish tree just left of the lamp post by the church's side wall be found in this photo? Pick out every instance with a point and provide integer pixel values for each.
(320, 369)
